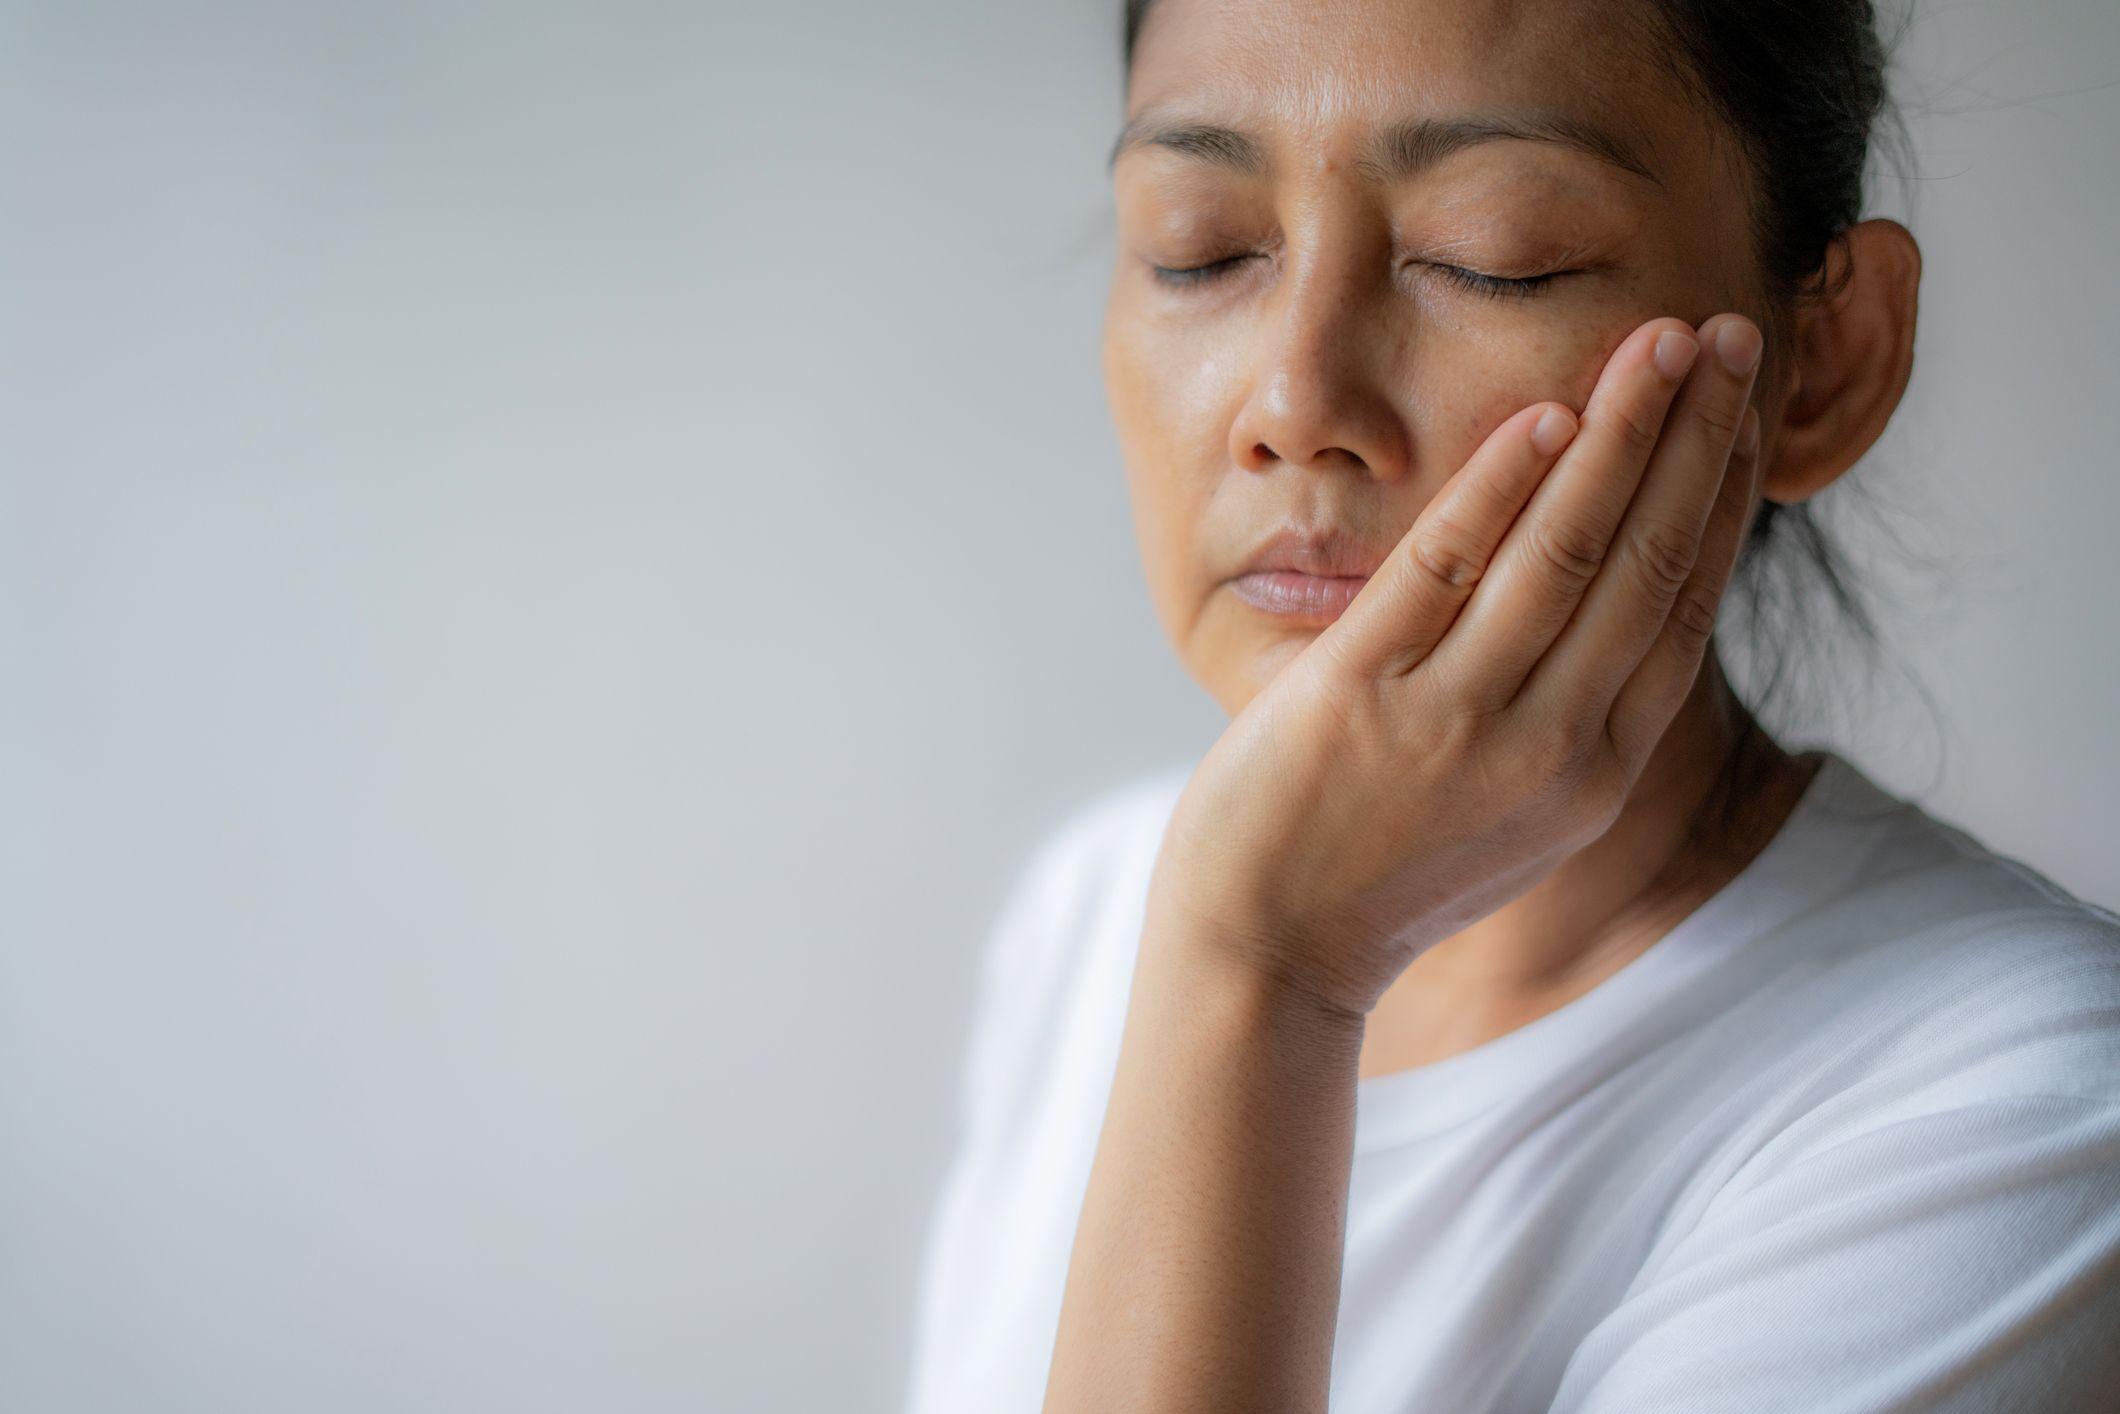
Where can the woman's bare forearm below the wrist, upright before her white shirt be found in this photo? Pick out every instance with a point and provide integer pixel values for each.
(1207, 1256)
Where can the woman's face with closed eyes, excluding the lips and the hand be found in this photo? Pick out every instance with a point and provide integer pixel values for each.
(1341, 364)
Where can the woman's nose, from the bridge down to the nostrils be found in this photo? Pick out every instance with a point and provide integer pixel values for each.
(1322, 366)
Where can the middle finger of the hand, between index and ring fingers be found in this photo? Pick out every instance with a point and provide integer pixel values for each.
(1555, 548)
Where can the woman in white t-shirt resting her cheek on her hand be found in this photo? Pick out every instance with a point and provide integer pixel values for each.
(1496, 1019)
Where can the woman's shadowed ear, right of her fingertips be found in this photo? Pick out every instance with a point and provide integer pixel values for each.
(1854, 357)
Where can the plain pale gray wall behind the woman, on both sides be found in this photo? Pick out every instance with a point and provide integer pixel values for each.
(556, 559)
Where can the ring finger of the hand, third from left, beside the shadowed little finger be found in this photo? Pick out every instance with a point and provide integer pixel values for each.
(1659, 542)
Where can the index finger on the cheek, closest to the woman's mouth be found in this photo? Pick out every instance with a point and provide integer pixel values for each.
(1411, 601)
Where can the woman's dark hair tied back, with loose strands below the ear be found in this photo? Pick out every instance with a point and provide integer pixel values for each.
(1803, 88)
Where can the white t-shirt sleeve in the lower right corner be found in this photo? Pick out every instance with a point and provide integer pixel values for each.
(1941, 1254)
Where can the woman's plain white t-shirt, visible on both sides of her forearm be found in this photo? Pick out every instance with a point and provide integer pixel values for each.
(1845, 1139)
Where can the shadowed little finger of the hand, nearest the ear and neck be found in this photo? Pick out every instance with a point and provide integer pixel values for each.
(1650, 699)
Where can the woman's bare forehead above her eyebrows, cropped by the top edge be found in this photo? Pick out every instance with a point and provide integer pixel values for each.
(1324, 82)
